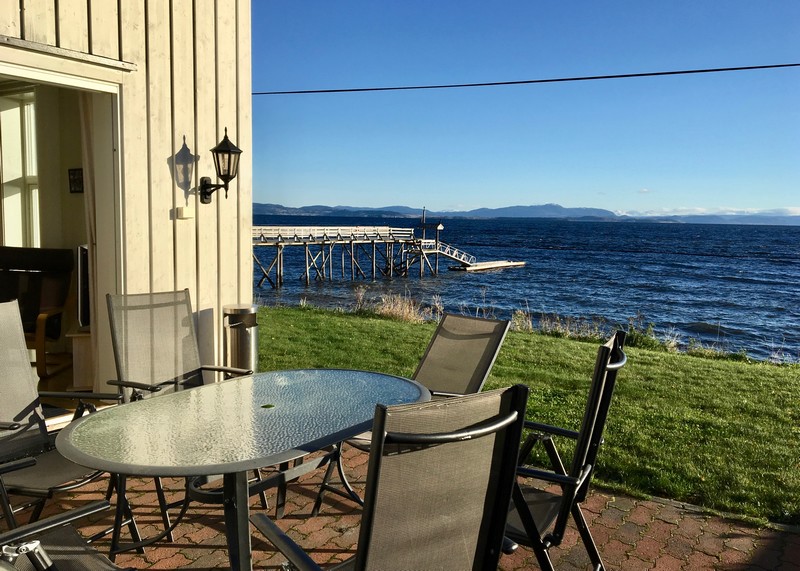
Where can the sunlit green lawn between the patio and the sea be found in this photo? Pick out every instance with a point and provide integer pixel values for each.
(718, 433)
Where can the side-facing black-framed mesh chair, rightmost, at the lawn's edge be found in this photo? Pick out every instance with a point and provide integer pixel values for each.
(535, 511)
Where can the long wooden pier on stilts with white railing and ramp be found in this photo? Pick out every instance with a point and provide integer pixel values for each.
(363, 252)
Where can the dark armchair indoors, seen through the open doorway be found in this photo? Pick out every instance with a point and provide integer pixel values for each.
(38, 278)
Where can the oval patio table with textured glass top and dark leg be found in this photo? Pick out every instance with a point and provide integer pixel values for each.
(234, 426)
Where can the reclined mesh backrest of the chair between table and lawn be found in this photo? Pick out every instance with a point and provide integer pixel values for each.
(461, 354)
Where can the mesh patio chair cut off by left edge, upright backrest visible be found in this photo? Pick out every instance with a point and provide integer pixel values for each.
(23, 432)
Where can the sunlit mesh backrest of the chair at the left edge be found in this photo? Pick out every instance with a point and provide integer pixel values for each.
(19, 404)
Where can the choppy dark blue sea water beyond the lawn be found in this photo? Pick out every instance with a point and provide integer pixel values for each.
(731, 287)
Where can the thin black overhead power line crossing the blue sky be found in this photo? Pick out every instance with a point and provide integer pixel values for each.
(528, 81)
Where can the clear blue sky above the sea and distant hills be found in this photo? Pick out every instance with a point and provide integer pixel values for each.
(724, 142)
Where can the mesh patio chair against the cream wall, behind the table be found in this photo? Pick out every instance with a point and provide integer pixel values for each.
(156, 352)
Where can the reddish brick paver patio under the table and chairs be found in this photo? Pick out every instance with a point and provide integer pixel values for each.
(631, 534)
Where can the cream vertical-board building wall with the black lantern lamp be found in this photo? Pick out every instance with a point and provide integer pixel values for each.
(183, 70)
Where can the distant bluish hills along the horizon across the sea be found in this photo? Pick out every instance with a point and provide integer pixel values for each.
(533, 211)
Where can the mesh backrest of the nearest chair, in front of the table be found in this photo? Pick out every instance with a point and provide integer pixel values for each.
(439, 482)
